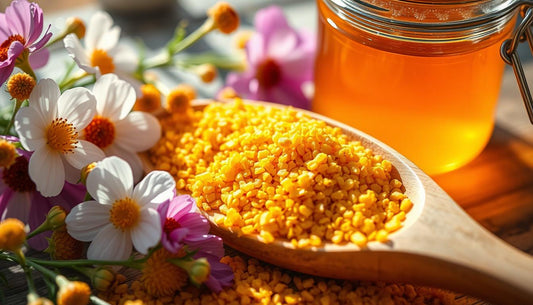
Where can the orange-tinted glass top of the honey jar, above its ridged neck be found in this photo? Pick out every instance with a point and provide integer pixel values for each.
(428, 14)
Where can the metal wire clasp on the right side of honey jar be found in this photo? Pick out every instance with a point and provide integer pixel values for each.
(509, 54)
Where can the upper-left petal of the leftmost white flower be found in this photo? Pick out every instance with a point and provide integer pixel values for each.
(44, 97)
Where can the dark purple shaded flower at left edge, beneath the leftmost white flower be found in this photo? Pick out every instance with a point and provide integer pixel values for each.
(20, 199)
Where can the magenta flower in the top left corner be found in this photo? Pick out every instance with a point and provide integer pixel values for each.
(20, 31)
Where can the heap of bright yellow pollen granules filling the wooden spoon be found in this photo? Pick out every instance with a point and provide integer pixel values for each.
(281, 174)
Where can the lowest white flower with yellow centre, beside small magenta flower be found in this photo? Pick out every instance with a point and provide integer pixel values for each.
(120, 215)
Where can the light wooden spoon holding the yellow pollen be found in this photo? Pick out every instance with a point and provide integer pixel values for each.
(439, 246)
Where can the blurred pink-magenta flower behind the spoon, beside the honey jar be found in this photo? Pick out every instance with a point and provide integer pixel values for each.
(280, 61)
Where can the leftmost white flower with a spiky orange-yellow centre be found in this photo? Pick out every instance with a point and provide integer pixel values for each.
(50, 127)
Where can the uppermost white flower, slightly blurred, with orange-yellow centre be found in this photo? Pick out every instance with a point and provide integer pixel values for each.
(102, 53)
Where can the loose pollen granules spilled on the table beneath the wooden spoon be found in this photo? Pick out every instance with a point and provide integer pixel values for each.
(260, 283)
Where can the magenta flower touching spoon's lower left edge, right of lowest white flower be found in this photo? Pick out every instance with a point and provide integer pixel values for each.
(183, 225)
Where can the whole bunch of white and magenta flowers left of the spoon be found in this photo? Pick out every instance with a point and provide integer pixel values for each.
(72, 182)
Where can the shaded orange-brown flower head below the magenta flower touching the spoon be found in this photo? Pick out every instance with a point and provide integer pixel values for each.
(162, 278)
